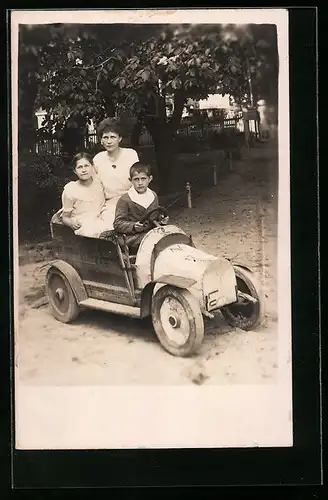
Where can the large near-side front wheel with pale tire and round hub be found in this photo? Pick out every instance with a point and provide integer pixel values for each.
(177, 320)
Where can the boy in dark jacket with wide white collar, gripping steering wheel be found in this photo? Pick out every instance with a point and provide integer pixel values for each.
(133, 205)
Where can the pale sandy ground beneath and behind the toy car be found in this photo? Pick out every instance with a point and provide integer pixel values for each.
(236, 219)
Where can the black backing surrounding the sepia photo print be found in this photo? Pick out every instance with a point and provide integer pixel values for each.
(300, 465)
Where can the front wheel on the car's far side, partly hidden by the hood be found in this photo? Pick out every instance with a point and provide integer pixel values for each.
(245, 314)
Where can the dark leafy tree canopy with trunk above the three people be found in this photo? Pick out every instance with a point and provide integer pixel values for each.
(93, 71)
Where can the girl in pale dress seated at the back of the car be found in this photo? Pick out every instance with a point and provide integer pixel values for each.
(84, 199)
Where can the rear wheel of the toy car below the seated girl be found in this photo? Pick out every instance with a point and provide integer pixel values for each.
(62, 301)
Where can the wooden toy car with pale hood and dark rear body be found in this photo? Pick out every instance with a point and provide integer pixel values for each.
(167, 278)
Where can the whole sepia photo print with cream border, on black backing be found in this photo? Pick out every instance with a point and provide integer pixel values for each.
(151, 228)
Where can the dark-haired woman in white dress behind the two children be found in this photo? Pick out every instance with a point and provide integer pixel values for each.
(113, 166)
